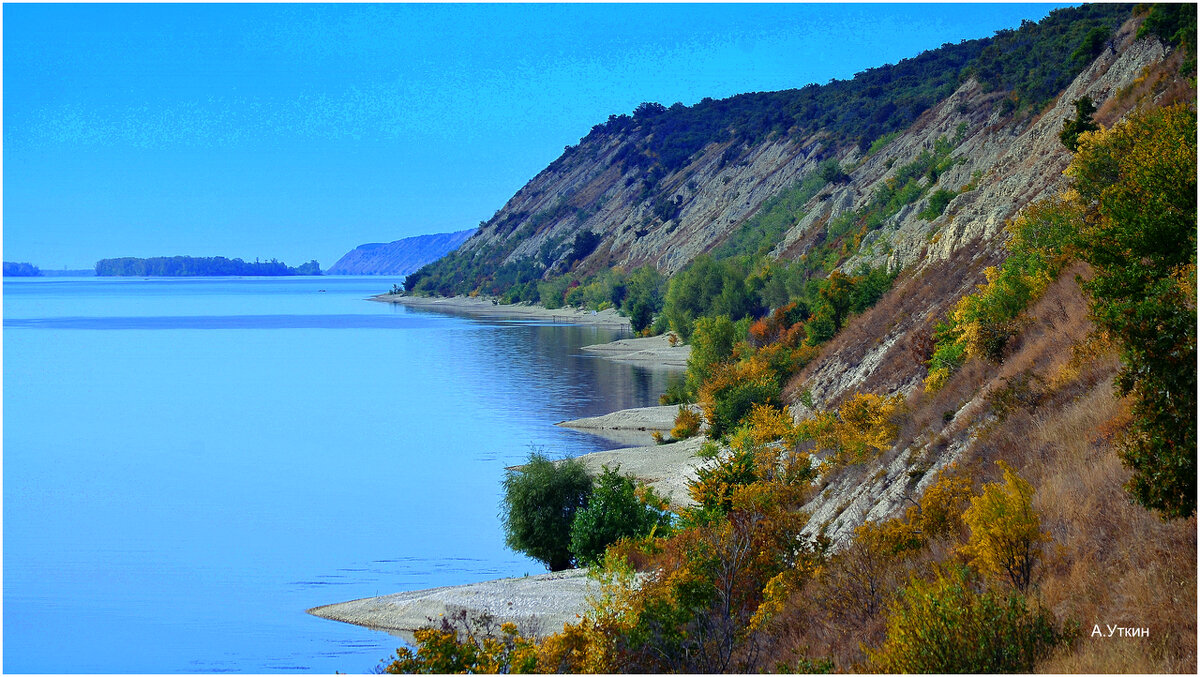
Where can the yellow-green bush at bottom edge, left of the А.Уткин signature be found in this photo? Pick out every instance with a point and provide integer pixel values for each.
(947, 626)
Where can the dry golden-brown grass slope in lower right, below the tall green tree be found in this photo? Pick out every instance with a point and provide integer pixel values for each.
(1112, 562)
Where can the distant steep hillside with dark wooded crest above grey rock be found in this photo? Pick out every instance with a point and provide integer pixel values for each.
(668, 184)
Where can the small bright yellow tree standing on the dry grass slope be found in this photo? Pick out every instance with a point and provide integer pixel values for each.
(1006, 532)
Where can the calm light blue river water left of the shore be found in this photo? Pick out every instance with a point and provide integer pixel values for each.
(189, 464)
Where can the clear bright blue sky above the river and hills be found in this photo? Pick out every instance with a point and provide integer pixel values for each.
(302, 131)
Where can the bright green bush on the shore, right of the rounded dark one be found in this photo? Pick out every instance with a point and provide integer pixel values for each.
(614, 512)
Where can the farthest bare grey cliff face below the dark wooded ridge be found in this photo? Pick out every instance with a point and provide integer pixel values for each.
(586, 190)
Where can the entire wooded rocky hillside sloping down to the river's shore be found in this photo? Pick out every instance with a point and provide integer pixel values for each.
(939, 409)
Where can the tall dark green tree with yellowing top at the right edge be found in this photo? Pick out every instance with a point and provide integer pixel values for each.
(1137, 187)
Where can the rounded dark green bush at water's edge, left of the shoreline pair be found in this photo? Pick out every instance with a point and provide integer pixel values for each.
(541, 504)
